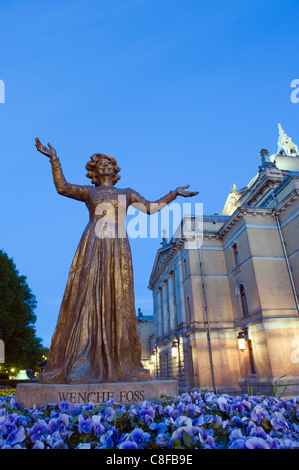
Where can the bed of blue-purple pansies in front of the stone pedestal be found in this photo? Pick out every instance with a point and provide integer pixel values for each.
(194, 420)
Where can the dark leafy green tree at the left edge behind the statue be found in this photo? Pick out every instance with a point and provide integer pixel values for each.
(17, 318)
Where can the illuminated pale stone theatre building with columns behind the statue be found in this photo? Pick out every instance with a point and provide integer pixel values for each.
(225, 288)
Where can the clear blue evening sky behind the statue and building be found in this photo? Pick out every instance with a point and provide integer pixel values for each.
(178, 91)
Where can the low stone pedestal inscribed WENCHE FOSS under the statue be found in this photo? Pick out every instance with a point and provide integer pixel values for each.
(30, 394)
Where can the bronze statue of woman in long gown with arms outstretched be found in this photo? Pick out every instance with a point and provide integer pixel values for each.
(96, 339)
